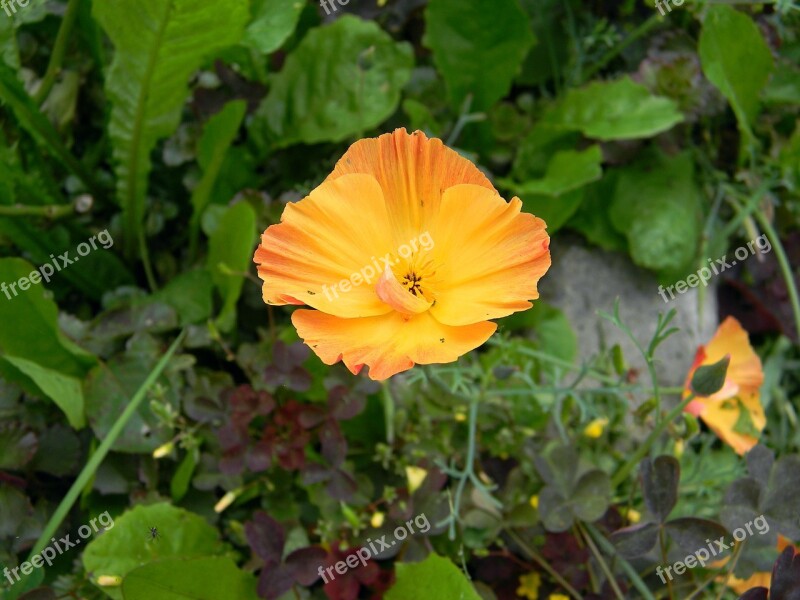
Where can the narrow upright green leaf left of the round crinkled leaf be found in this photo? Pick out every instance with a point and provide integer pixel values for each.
(218, 135)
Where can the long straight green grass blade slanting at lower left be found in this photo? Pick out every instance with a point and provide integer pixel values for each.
(94, 462)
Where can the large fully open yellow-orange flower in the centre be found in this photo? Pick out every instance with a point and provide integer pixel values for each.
(406, 251)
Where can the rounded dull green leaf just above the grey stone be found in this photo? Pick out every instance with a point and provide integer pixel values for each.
(656, 205)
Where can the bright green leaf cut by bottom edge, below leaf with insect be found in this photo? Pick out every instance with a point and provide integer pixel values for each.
(208, 578)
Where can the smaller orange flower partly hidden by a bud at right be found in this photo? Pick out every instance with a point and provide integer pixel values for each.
(723, 411)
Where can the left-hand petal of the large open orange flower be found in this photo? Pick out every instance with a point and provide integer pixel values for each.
(325, 250)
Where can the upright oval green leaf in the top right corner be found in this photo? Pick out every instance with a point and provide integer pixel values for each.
(736, 59)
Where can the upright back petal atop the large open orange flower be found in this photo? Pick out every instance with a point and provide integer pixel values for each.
(413, 171)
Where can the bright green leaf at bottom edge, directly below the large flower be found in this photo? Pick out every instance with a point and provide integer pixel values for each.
(432, 579)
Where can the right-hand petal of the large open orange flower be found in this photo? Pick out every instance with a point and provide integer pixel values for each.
(489, 257)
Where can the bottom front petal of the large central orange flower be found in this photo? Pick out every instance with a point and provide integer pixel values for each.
(387, 344)
